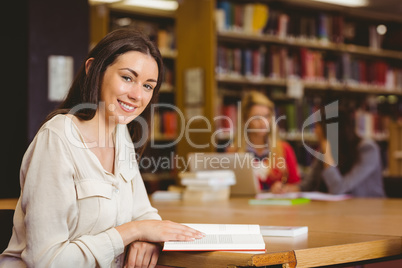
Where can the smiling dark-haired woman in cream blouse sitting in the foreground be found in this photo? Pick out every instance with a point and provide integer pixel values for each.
(83, 202)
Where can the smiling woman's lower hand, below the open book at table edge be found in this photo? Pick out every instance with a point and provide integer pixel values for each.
(142, 254)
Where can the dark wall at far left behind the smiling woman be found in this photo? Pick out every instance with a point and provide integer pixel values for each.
(38, 29)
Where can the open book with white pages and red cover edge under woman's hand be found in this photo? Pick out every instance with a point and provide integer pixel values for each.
(226, 237)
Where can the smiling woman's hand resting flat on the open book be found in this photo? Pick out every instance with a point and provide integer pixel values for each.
(156, 231)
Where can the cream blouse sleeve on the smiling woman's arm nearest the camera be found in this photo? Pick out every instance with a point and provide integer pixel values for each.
(48, 203)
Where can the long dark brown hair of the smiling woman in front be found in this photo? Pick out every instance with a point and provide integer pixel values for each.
(86, 86)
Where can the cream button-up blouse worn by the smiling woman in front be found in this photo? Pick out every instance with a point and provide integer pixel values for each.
(69, 205)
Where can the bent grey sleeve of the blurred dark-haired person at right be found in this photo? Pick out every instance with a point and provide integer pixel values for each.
(338, 184)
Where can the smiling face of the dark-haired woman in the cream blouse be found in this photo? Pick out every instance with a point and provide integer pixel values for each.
(128, 86)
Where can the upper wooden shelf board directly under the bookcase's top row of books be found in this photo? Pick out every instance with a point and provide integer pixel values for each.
(308, 43)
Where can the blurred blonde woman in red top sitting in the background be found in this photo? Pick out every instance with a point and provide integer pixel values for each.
(275, 161)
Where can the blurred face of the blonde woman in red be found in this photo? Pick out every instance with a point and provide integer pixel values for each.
(259, 120)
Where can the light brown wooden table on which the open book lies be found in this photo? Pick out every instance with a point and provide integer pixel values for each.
(339, 232)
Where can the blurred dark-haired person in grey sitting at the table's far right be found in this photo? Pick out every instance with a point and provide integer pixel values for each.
(358, 171)
